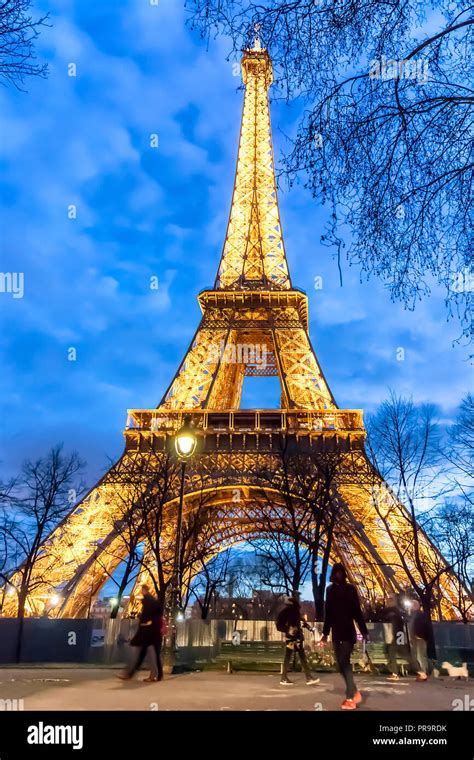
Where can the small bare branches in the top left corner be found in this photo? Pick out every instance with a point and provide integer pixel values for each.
(18, 32)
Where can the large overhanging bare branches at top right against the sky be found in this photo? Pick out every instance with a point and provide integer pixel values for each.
(385, 138)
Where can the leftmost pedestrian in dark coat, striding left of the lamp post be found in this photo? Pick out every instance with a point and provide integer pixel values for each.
(149, 634)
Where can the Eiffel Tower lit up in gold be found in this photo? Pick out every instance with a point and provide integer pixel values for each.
(254, 323)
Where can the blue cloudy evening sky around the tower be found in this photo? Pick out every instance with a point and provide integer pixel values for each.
(144, 212)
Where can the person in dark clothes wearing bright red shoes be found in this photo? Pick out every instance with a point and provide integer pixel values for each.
(342, 609)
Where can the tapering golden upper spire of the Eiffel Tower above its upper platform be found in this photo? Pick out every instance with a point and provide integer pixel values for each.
(253, 256)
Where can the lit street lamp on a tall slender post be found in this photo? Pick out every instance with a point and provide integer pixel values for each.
(185, 442)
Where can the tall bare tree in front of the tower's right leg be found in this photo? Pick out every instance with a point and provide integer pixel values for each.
(404, 446)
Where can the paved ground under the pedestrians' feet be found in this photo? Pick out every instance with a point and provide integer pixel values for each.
(99, 689)
